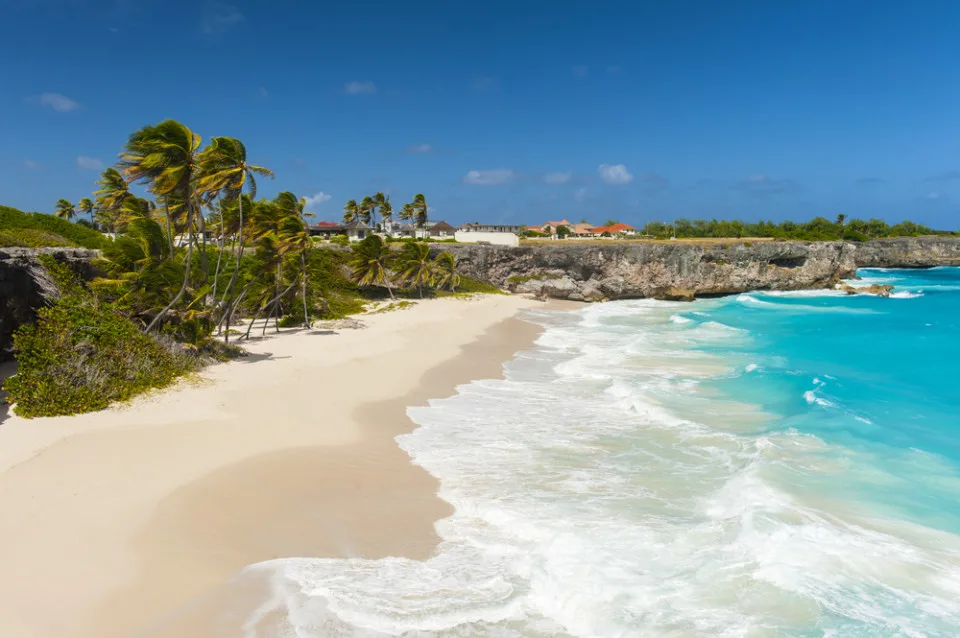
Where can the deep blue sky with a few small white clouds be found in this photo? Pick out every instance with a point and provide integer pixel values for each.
(506, 111)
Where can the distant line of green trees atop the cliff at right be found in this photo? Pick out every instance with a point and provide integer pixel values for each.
(818, 229)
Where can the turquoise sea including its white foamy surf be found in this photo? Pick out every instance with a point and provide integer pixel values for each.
(768, 464)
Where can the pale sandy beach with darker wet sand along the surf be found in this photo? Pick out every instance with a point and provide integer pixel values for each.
(114, 522)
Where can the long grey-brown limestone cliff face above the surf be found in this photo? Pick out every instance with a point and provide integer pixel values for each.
(597, 271)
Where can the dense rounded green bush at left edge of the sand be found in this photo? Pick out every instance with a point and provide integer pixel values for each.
(82, 355)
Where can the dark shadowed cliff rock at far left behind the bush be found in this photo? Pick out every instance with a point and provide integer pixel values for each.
(25, 285)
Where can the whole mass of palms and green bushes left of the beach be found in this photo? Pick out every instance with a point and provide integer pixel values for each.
(191, 259)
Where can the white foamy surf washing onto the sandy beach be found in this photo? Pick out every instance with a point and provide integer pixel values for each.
(586, 504)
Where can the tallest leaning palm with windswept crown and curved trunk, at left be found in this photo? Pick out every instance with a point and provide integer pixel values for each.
(165, 157)
